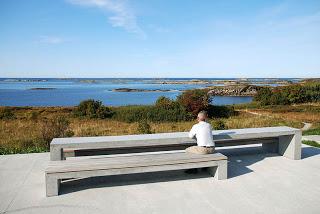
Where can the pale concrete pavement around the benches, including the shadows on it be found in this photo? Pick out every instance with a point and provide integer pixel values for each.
(257, 183)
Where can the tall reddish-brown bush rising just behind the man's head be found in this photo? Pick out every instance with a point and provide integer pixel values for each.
(195, 100)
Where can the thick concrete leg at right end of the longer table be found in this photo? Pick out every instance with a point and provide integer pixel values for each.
(290, 146)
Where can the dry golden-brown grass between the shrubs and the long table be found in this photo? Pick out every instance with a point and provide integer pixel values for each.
(23, 133)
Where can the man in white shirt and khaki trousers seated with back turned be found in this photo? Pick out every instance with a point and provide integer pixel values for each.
(202, 132)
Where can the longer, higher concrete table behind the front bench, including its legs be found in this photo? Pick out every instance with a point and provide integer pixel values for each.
(283, 140)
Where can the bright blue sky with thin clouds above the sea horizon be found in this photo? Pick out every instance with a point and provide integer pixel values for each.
(159, 38)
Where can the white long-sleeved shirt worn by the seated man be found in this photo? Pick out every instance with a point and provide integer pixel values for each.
(203, 132)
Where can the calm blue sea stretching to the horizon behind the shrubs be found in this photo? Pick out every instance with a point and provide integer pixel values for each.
(69, 92)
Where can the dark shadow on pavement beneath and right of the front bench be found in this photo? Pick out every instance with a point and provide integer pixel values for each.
(238, 161)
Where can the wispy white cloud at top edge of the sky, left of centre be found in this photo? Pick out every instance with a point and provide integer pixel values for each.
(122, 15)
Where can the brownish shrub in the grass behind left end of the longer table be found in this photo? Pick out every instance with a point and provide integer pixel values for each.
(56, 127)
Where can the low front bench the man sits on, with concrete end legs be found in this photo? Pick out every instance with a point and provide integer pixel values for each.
(134, 163)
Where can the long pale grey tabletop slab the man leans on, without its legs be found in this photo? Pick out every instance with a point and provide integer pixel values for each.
(168, 138)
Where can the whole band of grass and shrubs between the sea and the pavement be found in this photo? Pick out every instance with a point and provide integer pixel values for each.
(30, 129)
